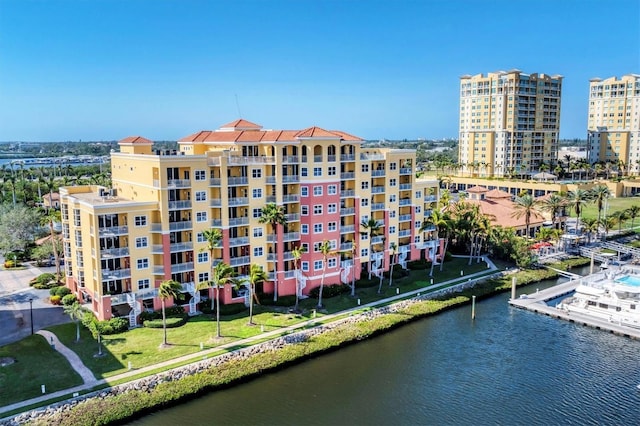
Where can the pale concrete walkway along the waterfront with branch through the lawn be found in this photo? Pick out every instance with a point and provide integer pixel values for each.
(90, 381)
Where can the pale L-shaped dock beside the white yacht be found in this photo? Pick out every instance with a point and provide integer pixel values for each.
(536, 302)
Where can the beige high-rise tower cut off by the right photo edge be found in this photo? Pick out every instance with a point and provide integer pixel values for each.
(613, 125)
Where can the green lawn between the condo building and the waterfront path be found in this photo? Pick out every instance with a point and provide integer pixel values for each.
(140, 346)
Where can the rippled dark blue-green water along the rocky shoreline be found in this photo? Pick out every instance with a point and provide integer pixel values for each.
(509, 367)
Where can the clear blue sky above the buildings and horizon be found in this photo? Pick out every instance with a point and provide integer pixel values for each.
(104, 70)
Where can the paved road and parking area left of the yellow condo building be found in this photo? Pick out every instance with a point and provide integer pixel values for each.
(15, 308)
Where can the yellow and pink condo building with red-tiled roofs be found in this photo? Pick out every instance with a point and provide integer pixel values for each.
(120, 243)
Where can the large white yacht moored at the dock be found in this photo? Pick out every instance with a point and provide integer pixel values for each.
(612, 295)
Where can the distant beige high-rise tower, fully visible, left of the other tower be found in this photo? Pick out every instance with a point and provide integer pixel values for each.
(509, 123)
